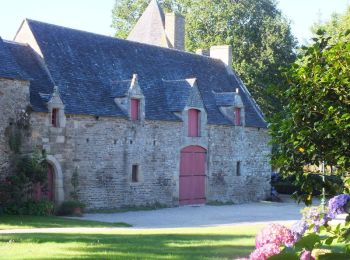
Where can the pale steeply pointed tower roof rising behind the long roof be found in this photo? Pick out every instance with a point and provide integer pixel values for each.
(150, 27)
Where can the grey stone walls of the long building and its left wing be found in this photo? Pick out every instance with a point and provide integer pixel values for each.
(104, 149)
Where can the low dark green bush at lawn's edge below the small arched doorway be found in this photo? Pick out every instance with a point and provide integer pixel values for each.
(34, 208)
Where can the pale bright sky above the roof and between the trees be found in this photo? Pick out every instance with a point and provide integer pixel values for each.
(95, 15)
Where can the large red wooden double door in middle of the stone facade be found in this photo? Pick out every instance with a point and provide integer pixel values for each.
(192, 175)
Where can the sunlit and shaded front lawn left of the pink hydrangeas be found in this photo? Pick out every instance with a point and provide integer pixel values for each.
(183, 243)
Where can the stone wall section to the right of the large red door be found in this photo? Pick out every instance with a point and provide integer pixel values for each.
(228, 145)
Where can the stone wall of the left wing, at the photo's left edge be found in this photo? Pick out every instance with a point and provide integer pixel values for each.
(14, 98)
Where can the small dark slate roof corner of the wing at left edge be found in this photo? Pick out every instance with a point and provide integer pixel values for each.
(8, 66)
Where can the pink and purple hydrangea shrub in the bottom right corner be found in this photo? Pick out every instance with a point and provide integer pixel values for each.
(303, 241)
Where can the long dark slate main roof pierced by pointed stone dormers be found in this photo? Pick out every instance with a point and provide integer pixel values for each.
(91, 70)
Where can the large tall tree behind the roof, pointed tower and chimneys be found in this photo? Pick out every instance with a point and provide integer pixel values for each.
(261, 37)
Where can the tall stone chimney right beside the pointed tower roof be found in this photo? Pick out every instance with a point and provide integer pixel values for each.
(175, 30)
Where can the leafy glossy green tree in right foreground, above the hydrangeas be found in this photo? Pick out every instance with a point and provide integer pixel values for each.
(315, 124)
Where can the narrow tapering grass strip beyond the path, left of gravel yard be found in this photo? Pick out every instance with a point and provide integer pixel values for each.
(16, 222)
